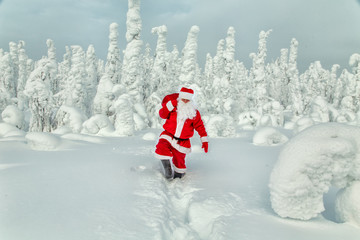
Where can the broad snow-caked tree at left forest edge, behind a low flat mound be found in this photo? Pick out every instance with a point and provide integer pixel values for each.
(38, 91)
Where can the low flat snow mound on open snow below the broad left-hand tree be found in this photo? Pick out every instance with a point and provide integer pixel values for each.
(43, 141)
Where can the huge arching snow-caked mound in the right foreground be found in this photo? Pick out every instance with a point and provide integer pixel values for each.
(320, 156)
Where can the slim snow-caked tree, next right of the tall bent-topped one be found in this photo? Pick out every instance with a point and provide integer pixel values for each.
(293, 77)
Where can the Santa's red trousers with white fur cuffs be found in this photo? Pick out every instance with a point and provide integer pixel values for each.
(164, 150)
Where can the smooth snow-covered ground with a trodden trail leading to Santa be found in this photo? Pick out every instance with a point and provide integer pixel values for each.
(77, 187)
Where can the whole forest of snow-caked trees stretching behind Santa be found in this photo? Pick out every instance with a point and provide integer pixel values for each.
(122, 94)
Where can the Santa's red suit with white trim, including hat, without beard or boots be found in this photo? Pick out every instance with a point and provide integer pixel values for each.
(174, 141)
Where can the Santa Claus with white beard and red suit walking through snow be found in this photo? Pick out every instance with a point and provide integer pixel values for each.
(182, 118)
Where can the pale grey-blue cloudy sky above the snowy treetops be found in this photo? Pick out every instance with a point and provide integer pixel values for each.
(327, 30)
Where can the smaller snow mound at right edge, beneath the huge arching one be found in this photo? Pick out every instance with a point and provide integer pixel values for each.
(347, 205)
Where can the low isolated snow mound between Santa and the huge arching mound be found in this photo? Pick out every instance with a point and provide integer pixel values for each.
(269, 136)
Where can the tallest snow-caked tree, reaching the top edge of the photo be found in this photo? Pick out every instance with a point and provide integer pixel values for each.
(132, 75)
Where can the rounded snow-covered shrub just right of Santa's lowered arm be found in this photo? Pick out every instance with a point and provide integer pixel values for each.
(220, 126)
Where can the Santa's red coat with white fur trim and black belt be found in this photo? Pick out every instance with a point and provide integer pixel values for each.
(181, 130)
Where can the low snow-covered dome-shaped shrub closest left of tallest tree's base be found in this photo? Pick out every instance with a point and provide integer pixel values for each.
(98, 124)
